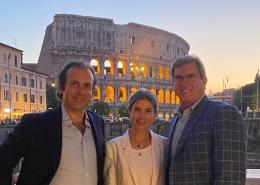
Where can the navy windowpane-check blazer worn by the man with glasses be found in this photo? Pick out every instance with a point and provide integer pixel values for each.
(212, 148)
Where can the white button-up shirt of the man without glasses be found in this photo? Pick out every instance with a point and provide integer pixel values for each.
(78, 163)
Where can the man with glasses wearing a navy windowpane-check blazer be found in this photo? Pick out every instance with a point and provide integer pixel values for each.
(207, 139)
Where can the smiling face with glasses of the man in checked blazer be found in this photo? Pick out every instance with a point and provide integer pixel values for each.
(189, 86)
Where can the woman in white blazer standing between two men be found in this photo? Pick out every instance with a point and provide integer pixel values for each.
(137, 157)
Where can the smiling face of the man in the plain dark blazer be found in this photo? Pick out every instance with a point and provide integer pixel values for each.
(77, 92)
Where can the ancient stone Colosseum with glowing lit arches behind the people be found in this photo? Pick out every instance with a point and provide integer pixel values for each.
(125, 57)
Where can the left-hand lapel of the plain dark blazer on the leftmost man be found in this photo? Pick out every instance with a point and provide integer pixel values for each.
(53, 122)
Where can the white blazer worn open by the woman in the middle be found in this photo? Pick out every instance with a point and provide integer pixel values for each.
(119, 164)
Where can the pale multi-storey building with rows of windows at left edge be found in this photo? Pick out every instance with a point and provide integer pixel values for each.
(21, 90)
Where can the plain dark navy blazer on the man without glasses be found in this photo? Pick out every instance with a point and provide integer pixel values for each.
(38, 139)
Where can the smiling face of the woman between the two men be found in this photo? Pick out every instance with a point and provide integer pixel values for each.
(142, 115)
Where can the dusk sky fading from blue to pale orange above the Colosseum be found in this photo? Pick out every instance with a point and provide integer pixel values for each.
(225, 34)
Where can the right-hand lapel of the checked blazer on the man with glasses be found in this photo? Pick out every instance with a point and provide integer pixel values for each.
(193, 120)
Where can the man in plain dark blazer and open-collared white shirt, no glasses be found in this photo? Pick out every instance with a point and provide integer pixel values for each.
(46, 141)
